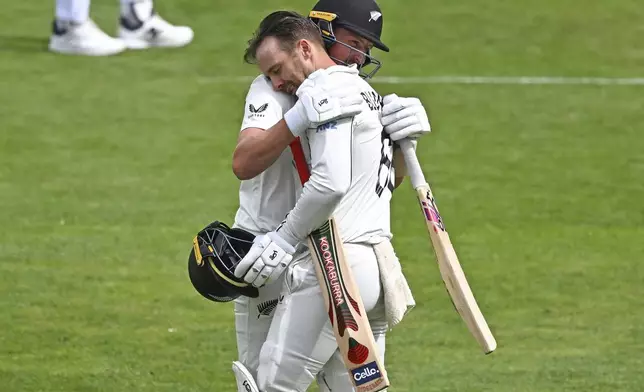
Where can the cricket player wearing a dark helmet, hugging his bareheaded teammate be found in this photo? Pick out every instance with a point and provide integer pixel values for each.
(269, 182)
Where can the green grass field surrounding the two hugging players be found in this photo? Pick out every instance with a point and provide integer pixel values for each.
(109, 166)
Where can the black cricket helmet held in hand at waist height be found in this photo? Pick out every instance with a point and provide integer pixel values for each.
(216, 251)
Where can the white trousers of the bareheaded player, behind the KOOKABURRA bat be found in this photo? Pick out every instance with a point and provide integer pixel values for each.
(301, 340)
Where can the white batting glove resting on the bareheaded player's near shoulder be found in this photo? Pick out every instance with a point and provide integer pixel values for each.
(322, 99)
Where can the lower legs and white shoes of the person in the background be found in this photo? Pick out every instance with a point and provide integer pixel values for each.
(140, 27)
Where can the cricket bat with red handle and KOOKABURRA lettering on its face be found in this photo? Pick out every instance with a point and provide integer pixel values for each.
(342, 299)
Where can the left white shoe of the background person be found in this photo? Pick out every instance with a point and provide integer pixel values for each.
(85, 39)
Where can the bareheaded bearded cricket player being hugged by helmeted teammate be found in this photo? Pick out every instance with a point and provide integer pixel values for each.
(351, 178)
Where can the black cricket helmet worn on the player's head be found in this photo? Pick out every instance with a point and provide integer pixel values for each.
(362, 17)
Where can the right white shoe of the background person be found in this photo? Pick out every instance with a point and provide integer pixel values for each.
(153, 32)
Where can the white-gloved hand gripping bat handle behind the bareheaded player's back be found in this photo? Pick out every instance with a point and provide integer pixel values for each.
(404, 118)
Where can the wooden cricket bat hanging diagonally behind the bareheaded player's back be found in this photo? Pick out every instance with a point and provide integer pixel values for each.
(450, 268)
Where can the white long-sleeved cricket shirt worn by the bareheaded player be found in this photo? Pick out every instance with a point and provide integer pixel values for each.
(351, 173)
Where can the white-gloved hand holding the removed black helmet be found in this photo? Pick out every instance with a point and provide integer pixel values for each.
(266, 260)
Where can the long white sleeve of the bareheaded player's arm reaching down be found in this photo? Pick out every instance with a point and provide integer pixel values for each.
(331, 150)
